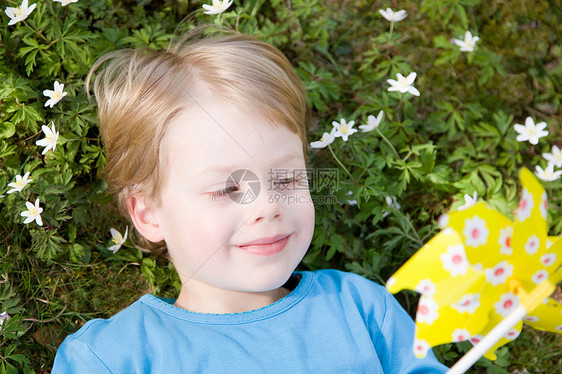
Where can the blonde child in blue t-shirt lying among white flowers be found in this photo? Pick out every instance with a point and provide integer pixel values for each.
(177, 124)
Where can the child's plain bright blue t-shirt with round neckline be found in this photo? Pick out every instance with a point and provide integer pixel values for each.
(332, 322)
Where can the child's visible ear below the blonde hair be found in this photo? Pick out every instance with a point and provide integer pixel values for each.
(143, 217)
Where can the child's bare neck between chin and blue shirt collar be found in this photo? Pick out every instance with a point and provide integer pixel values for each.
(202, 298)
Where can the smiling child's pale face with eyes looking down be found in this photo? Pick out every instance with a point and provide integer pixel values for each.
(217, 236)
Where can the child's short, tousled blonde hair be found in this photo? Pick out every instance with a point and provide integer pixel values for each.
(139, 91)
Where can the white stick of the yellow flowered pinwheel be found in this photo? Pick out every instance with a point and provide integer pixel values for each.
(528, 303)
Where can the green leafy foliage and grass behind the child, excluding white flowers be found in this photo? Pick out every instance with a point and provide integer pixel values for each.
(456, 138)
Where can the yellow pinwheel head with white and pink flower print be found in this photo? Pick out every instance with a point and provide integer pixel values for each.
(482, 269)
